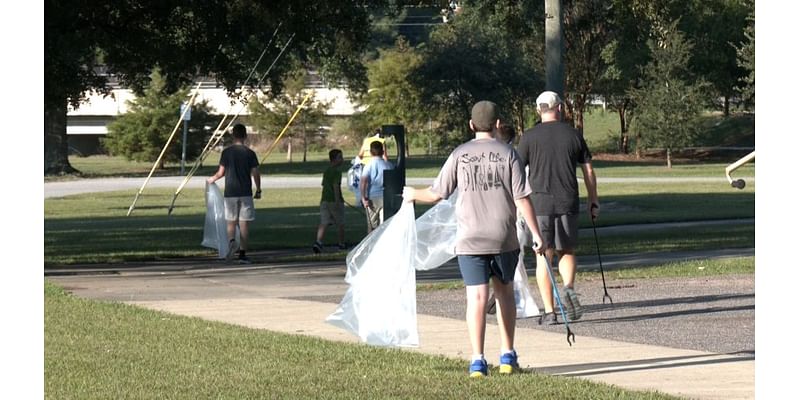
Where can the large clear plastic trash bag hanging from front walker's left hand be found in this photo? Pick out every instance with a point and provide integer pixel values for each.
(380, 306)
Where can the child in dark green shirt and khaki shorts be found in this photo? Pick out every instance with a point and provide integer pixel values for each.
(331, 205)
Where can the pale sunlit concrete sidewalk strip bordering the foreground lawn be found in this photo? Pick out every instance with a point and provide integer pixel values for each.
(679, 372)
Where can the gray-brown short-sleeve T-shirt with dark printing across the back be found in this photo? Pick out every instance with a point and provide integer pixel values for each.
(489, 178)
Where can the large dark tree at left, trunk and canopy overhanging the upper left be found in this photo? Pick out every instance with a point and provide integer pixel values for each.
(219, 38)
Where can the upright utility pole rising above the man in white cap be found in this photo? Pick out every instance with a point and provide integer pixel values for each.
(554, 47)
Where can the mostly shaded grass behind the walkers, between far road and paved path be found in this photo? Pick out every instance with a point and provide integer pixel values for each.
(288, 218)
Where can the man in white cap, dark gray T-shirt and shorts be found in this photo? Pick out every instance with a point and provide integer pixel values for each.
(553, 150)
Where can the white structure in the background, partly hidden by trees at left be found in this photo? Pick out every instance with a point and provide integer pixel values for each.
(88, 123)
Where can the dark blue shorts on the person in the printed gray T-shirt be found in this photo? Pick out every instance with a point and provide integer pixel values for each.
(476, 269)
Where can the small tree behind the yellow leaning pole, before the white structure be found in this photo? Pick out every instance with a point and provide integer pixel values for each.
(270, 114)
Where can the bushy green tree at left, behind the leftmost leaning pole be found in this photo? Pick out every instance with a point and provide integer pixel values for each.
(142, 132)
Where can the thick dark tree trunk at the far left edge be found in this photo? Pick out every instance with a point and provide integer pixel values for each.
(56, 148)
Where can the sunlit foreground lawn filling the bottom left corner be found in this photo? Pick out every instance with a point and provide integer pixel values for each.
(101, 350)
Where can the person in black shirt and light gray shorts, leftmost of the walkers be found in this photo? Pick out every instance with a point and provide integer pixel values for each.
(238, 164)
